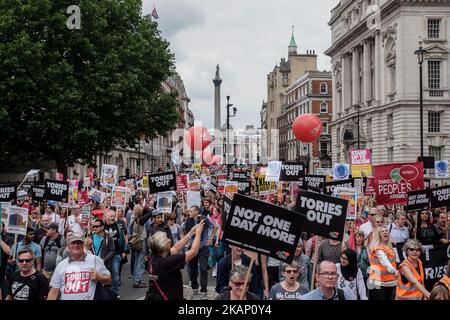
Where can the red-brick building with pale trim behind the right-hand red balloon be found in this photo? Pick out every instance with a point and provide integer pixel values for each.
(311, 93)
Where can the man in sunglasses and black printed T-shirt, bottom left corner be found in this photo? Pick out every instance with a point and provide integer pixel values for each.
(27, 284)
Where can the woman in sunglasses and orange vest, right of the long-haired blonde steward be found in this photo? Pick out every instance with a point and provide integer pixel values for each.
(411, 279)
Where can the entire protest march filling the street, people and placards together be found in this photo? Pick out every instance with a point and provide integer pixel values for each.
(290, 237)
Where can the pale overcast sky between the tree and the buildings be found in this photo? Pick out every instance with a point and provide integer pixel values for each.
(246, 38)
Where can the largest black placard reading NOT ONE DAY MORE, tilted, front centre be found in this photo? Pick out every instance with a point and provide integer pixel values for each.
(263, 228)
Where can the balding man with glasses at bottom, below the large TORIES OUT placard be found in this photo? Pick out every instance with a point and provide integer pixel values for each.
(326, 278)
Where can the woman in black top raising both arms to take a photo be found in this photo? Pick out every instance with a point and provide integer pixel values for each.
(165, 264)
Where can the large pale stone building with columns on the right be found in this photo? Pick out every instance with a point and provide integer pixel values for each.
(376, 78)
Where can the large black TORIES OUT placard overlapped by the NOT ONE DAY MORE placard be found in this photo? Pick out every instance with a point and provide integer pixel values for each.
(325, 215)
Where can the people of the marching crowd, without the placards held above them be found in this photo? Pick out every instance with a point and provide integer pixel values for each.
(65, 257)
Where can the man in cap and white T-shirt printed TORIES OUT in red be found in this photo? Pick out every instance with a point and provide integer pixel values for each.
(76, 277)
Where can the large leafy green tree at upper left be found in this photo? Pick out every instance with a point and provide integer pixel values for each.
(66, 95)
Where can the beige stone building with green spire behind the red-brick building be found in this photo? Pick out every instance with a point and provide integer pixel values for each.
(282, 76)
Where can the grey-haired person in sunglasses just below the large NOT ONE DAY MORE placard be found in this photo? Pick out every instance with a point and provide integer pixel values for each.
(237, 286)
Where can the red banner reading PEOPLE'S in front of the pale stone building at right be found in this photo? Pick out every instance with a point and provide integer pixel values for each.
(394, 181)
